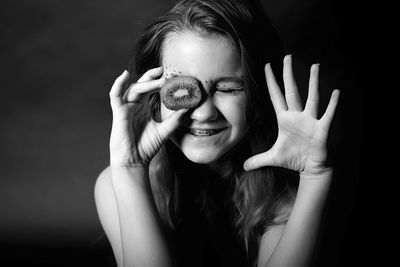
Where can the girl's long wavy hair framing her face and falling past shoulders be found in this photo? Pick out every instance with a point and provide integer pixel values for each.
(255, 197)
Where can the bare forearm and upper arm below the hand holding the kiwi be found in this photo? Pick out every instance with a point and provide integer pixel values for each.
(129, 218)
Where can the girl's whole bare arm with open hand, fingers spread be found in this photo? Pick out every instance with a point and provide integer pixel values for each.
(300, 146)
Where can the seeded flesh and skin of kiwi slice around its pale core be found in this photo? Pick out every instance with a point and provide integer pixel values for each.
(180, 83)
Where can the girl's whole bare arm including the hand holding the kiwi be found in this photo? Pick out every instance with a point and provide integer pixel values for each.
(123, 194)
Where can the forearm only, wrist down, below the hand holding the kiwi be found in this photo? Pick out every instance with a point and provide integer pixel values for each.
(143, 243)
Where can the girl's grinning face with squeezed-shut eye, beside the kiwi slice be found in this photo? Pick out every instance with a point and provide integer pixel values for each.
(218, 123)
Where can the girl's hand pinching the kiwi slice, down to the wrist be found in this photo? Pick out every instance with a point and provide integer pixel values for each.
(133, 145)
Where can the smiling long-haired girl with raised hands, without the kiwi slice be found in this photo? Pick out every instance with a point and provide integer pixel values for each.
(200, 186)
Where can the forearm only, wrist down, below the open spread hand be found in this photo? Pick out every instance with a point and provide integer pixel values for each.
(297, 243)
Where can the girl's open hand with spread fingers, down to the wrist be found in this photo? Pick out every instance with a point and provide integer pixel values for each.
(302, 138)
